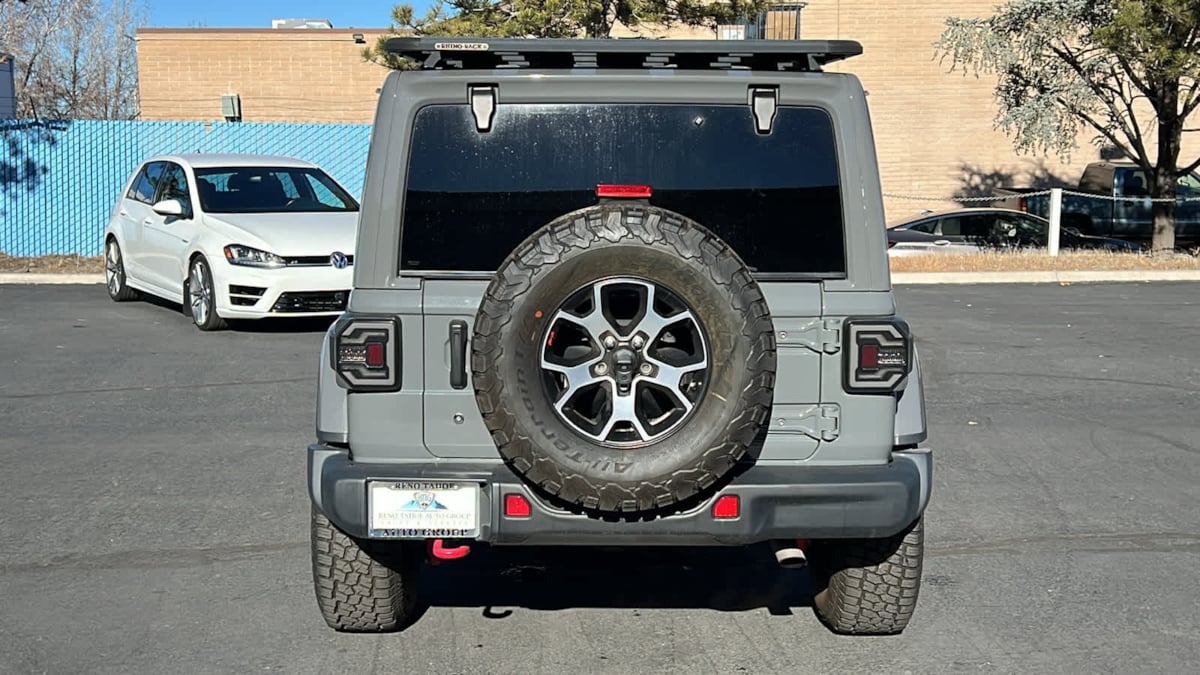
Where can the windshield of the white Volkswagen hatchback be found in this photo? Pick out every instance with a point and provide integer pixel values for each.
(265, 190)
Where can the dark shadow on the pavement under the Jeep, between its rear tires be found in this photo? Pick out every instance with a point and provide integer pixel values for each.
(725, 580)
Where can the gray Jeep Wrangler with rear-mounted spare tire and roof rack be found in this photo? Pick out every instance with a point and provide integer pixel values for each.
(621, 294)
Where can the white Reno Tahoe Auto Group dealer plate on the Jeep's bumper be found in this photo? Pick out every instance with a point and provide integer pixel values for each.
(423, 510)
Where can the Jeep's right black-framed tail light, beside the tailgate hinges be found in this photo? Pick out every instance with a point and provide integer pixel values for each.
(878, 356)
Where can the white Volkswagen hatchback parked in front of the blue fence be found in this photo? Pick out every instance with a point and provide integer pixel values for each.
(233, 237)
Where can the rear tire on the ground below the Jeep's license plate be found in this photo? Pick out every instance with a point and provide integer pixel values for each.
(363, 587)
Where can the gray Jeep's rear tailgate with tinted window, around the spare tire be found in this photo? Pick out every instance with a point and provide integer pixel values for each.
(478, 186)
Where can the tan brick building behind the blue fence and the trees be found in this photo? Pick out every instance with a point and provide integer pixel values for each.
(933, 129)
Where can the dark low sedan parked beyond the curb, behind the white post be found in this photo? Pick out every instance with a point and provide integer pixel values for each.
(973, 231)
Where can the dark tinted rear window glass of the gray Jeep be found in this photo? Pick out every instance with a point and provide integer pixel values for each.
(473, 198)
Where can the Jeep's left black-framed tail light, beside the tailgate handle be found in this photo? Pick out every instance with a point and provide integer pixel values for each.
(367, 354)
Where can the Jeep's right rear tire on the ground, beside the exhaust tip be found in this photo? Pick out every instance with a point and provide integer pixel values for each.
(869, 587)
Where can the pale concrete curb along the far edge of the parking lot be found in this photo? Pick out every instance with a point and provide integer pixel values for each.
(898, 279)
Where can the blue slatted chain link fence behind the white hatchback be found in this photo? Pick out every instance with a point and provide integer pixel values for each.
(61, 181)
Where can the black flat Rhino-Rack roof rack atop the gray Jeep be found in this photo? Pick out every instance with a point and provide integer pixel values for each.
(489, 53)
